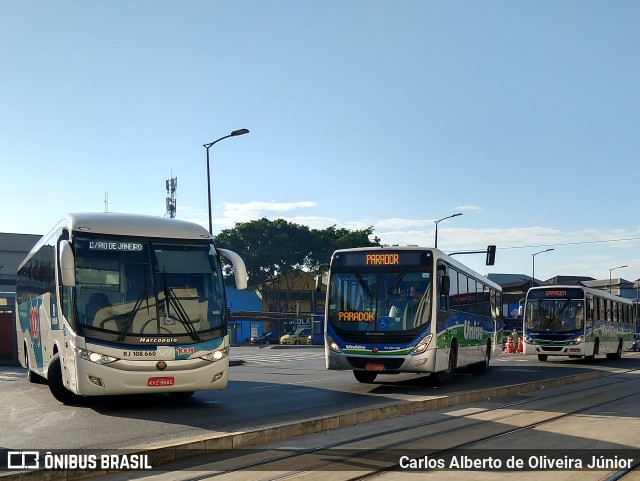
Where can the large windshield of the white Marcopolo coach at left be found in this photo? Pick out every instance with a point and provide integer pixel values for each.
(130, 287)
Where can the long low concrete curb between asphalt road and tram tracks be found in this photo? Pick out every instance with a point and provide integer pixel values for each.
(164, 454)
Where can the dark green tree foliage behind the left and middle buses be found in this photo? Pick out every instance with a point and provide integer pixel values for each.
(270, 248)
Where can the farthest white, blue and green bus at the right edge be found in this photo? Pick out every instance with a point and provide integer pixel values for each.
(576, 322)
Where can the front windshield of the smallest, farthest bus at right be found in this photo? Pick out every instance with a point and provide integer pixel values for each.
(554, 315)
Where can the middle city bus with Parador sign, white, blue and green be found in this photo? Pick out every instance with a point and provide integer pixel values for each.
(393, 310)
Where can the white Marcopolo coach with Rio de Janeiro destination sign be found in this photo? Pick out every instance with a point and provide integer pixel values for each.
(118, 304)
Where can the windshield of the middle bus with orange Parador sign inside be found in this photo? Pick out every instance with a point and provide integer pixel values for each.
(381, 302)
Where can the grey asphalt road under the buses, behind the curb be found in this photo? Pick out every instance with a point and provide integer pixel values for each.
(267, 387)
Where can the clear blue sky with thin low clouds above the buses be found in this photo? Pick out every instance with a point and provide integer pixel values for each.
(523, 116)
